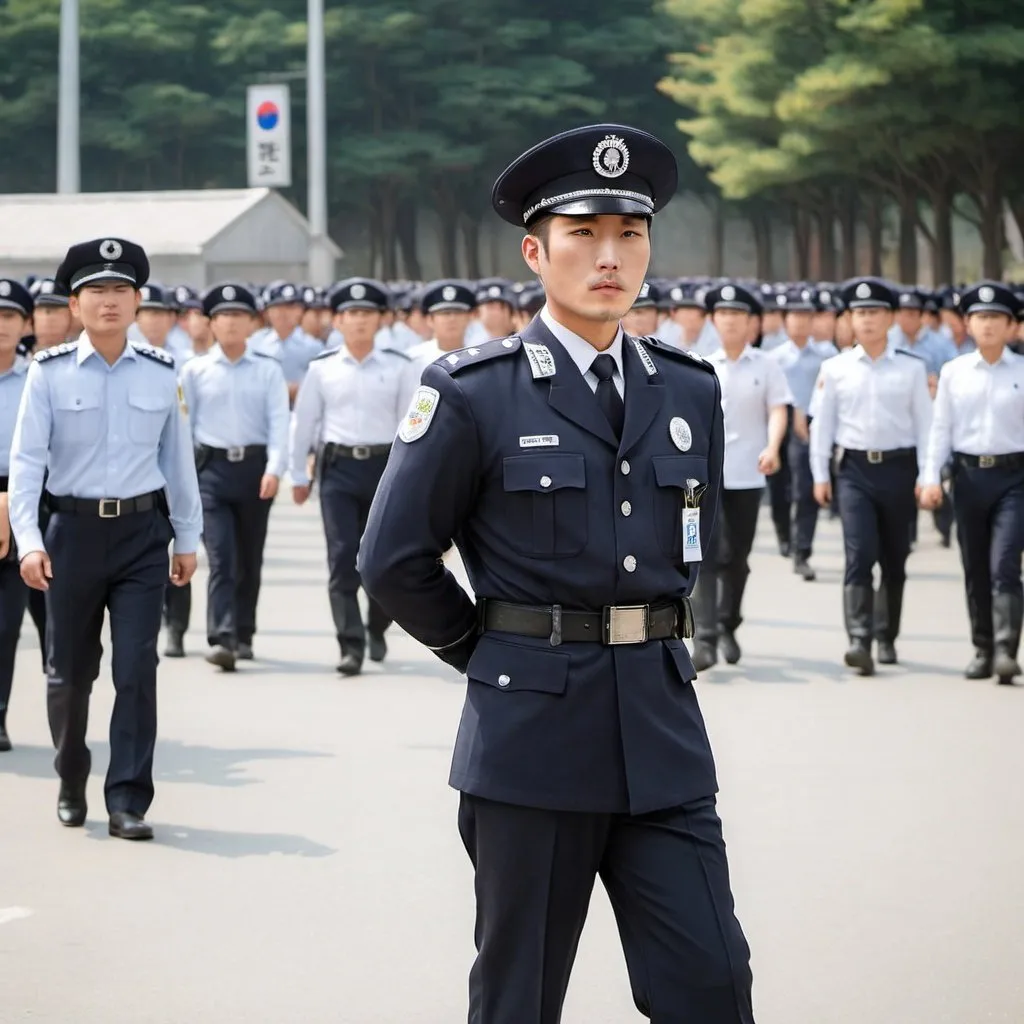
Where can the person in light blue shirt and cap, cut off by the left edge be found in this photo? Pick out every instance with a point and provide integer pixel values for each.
(16, 312)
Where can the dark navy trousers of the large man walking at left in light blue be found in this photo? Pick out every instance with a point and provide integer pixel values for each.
(119, 567)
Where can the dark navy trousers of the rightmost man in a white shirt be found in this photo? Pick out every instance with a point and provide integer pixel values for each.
(990, 509)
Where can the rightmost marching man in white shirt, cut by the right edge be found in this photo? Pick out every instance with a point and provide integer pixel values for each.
(979, 422)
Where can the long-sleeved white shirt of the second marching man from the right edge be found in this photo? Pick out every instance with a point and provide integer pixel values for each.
(870, 405)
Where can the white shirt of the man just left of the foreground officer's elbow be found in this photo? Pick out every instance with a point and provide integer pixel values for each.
(351, 403)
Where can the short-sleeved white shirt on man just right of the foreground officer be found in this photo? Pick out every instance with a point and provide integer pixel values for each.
(752, 387)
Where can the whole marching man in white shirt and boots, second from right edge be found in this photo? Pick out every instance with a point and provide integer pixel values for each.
(875, 411)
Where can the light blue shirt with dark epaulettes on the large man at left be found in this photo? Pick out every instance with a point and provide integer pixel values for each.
(103, 432)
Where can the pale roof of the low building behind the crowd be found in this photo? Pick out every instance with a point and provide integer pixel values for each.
(41, 227)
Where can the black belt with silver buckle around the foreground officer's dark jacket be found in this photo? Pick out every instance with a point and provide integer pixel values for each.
(612, 626)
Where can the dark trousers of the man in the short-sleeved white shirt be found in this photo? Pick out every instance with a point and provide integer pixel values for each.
(719, 596)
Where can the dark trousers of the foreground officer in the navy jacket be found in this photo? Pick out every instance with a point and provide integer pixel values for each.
(667, 877)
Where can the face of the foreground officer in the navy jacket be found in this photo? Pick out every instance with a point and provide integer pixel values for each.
(592, 268)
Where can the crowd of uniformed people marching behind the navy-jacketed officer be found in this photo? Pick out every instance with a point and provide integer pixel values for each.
(866, 399)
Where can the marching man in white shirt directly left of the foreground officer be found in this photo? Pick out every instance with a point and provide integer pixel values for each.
(350, 408)
